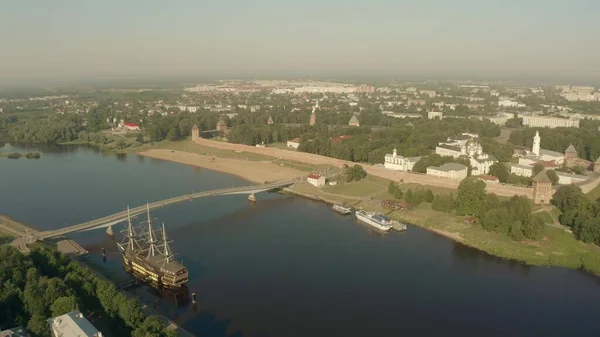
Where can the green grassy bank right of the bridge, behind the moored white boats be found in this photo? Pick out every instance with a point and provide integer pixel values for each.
(557, 248)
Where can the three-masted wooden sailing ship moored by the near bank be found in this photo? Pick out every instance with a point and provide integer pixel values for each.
(148, 256)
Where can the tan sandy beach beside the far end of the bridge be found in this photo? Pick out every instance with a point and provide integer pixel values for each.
(255, 171)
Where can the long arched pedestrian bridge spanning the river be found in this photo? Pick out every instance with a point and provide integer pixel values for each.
(123, 215)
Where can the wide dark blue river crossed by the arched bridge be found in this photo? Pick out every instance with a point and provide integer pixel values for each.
(291, 267)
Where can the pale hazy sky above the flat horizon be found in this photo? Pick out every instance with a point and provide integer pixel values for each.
(127, 38)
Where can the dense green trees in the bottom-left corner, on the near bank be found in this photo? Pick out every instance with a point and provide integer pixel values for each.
(46, 284)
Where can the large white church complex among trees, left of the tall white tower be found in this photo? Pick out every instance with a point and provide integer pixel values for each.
(466, 146)
